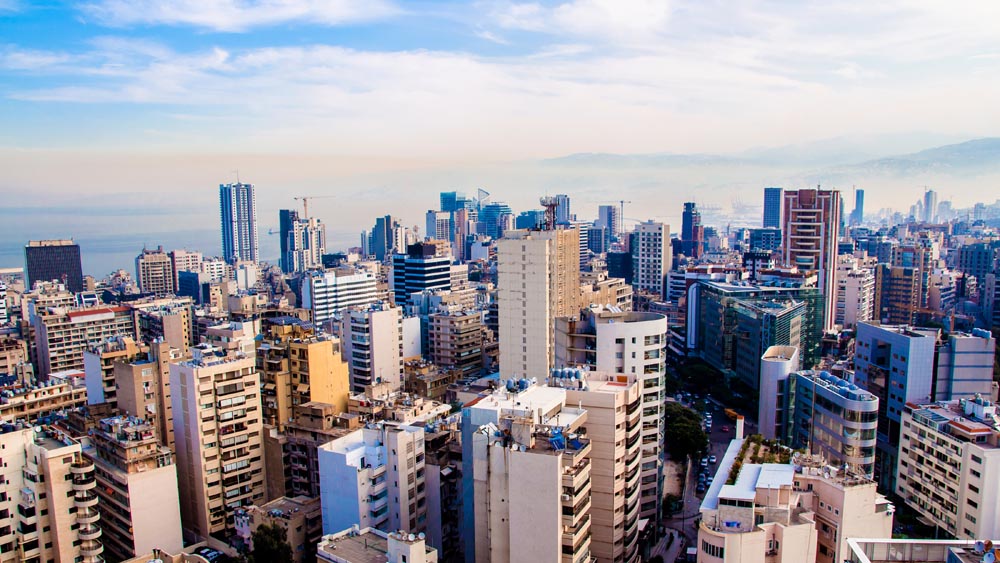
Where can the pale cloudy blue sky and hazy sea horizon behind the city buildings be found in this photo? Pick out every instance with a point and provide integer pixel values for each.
(137, 106)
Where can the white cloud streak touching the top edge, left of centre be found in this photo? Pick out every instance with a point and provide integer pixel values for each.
(236, 15)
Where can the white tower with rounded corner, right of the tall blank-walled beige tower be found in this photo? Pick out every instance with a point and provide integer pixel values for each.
(616, 342)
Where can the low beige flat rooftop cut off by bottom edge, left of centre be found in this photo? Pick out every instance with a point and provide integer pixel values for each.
(371, 545)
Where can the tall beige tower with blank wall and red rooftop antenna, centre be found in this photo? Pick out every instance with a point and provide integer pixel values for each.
(538, 279)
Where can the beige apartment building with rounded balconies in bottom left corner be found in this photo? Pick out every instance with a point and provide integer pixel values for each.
(47, 494)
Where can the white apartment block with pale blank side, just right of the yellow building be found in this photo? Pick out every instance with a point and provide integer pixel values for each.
(373, 345)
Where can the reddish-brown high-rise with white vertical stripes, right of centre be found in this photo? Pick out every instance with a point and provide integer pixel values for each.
(810, 227)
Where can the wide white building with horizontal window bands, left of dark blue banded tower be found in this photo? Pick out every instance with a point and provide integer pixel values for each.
(327, 293)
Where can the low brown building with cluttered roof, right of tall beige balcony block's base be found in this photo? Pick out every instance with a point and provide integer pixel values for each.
(300, 517)
